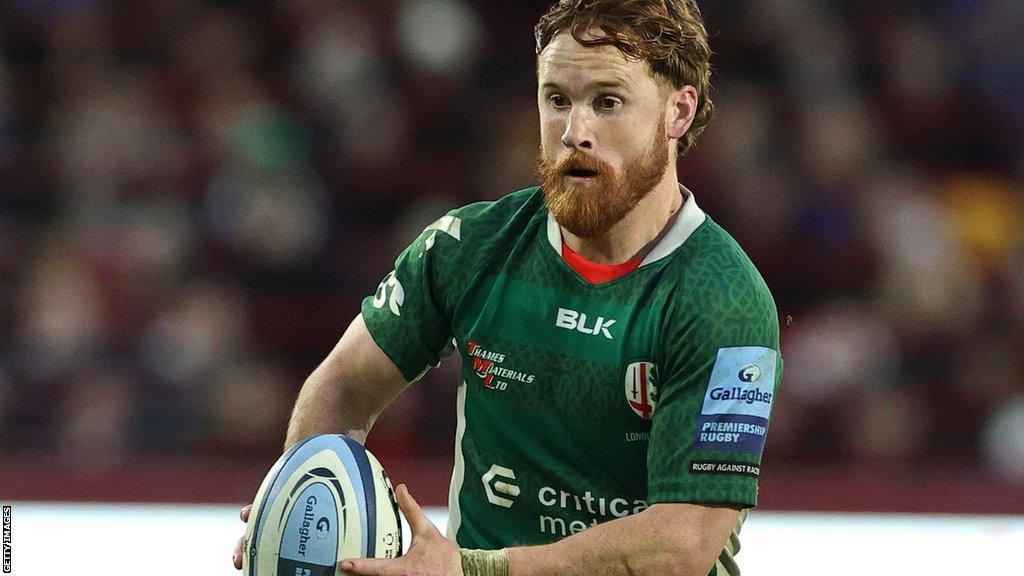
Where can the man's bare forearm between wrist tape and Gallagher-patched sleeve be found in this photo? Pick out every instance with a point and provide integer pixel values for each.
(650, 544)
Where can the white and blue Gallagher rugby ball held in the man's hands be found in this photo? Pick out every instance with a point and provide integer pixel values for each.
(325, 501)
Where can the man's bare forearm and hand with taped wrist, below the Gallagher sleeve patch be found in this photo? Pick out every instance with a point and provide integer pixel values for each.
(672, 540)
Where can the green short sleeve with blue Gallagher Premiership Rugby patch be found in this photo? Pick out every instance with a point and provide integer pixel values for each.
(723, 368)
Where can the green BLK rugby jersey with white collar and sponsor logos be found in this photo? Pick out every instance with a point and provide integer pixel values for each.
(583, 403)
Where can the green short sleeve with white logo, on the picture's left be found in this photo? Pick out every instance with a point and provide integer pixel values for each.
(408, 316)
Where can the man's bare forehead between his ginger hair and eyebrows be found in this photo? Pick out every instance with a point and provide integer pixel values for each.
(565, 60)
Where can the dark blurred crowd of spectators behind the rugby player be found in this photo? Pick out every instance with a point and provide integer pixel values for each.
(195, 196)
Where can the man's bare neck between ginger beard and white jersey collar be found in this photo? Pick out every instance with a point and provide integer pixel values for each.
(638, 232)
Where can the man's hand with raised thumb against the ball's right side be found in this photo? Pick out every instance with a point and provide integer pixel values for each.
(431, 555)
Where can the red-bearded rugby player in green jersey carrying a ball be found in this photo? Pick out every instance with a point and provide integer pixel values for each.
(620, 352)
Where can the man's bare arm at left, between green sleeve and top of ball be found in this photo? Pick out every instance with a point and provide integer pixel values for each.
(349, 391)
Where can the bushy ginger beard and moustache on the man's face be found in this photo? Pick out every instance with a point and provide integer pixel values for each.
(591, 210)
